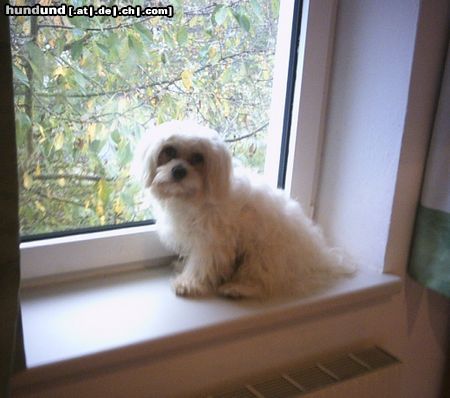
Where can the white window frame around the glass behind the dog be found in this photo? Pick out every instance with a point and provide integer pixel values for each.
(97, 252)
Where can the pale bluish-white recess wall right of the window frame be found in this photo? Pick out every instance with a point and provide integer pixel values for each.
(366, 116)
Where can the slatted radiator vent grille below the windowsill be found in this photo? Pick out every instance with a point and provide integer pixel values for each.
(301, 381)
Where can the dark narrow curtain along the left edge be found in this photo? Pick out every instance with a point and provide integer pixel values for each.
(10, 345)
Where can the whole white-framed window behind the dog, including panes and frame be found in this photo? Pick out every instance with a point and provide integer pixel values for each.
(87, 88)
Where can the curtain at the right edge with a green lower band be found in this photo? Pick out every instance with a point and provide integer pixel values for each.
(430, 253)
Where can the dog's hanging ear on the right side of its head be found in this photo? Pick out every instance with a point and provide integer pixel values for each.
(218, 170)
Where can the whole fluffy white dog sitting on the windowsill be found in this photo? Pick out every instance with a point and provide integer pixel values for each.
(234, 236)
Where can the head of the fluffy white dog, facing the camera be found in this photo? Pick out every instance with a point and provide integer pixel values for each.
(181, 159)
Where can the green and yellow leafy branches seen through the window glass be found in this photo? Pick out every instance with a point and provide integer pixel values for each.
(86, 89)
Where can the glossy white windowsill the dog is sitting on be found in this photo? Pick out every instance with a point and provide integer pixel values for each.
(84, 326)
